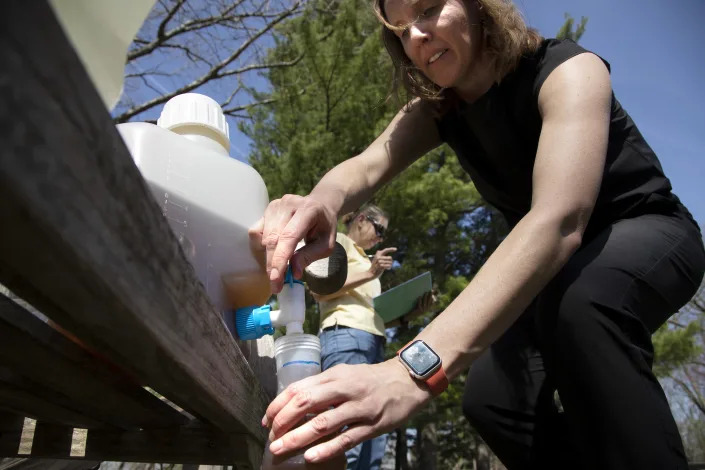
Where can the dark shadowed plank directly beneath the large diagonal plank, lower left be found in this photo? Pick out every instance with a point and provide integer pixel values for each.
(67, 375)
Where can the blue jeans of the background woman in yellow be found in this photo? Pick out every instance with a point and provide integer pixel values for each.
(353, 346)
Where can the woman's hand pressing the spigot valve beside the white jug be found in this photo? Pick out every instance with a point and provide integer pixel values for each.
(285, 223)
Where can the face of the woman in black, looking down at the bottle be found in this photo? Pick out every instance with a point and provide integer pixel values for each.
(442, 38)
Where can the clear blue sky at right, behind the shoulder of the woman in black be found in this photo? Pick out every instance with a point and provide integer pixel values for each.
(657, 53)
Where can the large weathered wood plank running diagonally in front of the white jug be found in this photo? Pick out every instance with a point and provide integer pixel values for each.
(84, 242)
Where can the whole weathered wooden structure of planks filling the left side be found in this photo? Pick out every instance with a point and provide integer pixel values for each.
(82, 241)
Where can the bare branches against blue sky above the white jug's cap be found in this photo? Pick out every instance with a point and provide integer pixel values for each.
(185, 46)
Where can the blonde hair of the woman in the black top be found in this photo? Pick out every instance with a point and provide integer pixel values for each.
(506, 38)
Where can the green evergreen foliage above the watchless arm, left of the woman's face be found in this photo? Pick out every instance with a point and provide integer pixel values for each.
(328, 107)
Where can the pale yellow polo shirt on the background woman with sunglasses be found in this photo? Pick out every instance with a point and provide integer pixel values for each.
(354, 308)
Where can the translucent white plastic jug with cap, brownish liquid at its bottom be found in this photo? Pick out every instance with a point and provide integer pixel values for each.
(209, 199)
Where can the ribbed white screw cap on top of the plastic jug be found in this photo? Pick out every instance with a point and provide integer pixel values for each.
(194, 109)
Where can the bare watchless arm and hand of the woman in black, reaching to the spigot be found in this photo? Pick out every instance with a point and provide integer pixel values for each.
(410, 135)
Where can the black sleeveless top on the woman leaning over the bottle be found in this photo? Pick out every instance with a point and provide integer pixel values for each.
(496, 139)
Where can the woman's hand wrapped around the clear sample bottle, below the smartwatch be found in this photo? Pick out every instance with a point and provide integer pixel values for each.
(369, 399)
